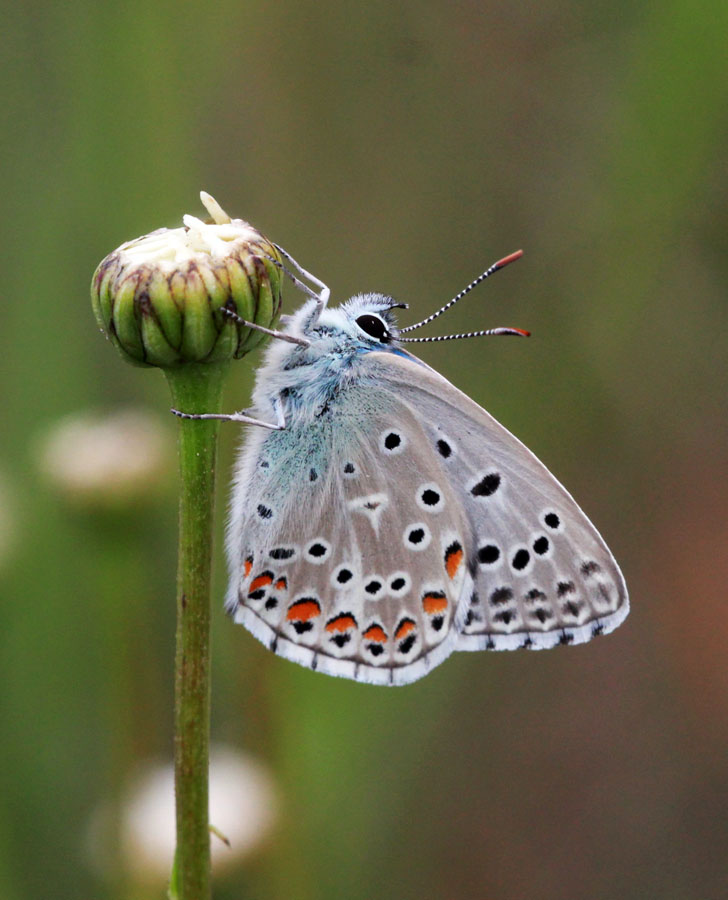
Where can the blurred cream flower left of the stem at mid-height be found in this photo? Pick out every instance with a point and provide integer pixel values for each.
(108, 460)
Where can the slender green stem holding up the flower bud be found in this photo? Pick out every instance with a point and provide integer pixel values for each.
(195, 388)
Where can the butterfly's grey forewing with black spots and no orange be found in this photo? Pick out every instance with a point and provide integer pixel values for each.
(542, 573)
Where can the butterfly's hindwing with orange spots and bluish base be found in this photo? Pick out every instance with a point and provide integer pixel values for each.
(347, 541)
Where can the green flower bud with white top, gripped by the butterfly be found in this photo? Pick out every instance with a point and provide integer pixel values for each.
(159, 298)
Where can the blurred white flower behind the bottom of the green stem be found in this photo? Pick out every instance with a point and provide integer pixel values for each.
(243, 807)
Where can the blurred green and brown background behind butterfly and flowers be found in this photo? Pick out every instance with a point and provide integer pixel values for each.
(402, 147)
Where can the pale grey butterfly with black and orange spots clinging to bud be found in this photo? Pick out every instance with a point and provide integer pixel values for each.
(381, 519)
